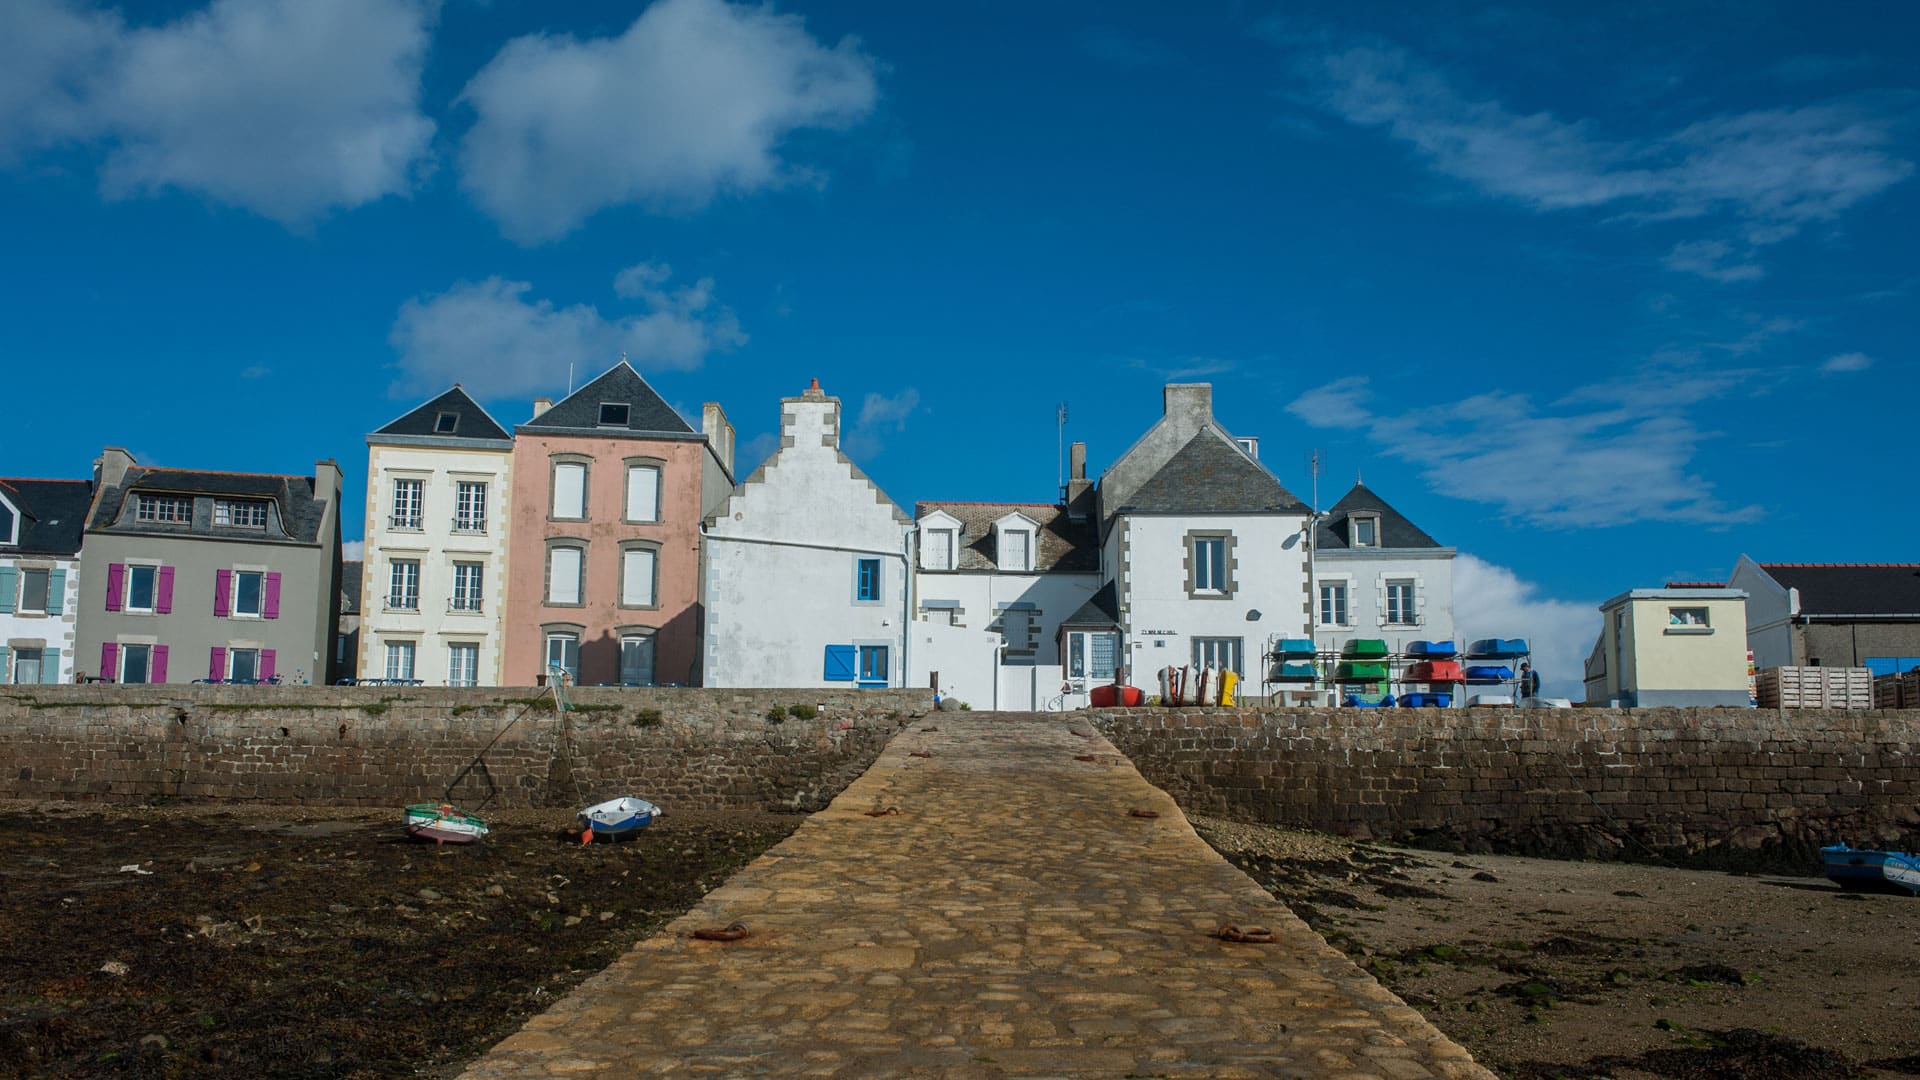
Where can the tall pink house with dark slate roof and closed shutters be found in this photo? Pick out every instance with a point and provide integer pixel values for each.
(610, 489)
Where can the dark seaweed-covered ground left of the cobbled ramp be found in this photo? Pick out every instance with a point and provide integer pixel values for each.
(316, 943)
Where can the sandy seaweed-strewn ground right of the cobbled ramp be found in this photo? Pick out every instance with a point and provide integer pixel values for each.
(1552, 970)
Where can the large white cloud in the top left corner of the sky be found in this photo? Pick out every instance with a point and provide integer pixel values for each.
(279, 107)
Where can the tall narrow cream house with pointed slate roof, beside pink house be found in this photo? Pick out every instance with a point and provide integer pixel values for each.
(435, 570)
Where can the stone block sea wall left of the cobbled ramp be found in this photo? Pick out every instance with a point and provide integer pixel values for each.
(395, 747)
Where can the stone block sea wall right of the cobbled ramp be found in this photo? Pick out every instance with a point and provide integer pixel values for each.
(1737, 789)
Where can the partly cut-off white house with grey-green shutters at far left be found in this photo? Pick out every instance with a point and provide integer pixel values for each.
(41, 528)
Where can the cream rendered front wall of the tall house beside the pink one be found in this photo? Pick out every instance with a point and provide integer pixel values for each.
(435, 627)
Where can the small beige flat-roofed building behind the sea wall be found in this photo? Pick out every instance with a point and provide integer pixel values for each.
(1671, 647)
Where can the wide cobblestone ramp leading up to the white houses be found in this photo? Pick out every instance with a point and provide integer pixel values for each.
(1011, 920)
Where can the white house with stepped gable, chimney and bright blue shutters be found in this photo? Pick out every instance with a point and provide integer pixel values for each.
(807, 568)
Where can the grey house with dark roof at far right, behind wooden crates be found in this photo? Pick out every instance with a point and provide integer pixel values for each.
(1833, 614)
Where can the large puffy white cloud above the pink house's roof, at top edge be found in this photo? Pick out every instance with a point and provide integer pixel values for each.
(692, 101)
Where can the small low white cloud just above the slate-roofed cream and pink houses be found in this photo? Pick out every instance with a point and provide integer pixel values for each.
(498, 341)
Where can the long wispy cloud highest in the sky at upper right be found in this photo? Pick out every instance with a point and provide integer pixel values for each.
(1773, 172)
